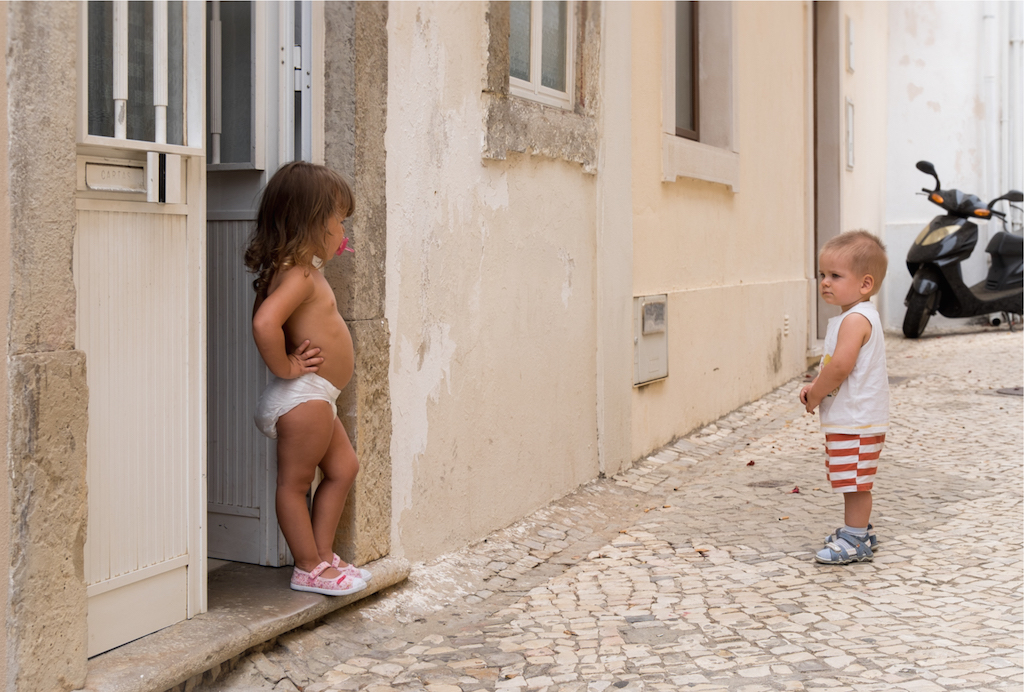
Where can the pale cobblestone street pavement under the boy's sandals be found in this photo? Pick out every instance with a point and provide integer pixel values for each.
(695, 570)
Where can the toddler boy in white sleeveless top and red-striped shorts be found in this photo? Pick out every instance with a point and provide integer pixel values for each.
(852, 387)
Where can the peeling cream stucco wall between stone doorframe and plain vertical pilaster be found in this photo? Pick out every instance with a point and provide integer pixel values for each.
(490, 298)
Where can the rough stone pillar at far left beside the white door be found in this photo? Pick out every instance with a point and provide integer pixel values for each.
(47, 393)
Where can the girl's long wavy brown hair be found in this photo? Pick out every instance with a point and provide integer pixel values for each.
(291, 225)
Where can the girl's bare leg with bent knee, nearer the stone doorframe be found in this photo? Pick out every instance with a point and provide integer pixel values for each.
(339, 466)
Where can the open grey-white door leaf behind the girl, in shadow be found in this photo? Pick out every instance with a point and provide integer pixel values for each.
(262, 101)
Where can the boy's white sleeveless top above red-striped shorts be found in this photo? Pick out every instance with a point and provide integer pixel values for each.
(861, 405)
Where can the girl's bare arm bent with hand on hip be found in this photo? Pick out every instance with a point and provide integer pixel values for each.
(269, 328)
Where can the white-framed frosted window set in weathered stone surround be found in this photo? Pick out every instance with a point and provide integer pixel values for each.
(540, 52)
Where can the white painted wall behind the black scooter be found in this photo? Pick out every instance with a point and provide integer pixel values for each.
(941, 111)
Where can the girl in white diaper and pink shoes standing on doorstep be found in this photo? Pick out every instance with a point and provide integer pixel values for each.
(307, 345)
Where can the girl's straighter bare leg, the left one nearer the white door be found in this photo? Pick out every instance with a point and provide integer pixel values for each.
(305, 435)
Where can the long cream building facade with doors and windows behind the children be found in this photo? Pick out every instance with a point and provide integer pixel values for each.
(583, 231)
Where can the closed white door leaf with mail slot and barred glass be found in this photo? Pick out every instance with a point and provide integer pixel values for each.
(140, 274)
